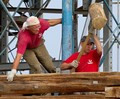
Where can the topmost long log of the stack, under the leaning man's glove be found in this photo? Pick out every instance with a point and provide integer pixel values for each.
(103, 77)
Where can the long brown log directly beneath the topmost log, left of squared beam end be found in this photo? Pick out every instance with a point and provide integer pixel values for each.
(49, 86)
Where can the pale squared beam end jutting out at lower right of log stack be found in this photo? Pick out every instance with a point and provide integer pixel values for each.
(112, 92)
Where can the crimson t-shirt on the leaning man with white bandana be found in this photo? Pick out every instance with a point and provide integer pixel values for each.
(27, 40)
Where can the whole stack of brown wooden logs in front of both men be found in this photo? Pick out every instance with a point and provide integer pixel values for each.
(102, 85)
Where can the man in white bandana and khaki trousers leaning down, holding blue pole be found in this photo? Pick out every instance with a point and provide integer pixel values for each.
(31, 46)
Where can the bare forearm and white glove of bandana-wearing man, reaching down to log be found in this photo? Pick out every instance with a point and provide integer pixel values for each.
(16, 62)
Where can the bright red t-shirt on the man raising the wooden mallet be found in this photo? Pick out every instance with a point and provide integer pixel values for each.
(87, 63)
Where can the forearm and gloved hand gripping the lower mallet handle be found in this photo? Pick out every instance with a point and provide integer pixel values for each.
(73, 64)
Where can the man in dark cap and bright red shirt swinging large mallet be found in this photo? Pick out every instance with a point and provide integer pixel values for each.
(89, 61)
